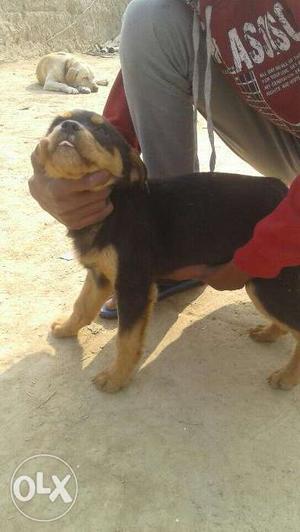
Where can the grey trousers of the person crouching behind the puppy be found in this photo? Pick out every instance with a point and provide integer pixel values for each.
(157, 62)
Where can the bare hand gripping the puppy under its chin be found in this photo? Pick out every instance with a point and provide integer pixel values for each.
(74, 203)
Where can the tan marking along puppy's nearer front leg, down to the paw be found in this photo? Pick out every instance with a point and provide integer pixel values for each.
(129, 345)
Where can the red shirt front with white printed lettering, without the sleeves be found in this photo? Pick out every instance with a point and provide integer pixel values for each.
(257, 45)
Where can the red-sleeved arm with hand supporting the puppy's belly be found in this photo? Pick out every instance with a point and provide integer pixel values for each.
(275, 245)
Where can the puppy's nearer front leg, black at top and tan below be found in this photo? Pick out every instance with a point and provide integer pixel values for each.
(134, 311)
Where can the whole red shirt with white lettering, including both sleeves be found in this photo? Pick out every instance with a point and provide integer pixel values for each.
(257, 45)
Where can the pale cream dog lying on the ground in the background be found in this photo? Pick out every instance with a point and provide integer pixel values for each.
(60, 71)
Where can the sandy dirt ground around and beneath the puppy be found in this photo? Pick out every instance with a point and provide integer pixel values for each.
(198, 442)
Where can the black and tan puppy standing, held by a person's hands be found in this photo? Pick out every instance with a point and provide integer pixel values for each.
(155, 228)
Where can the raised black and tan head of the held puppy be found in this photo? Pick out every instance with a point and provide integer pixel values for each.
(82, 142)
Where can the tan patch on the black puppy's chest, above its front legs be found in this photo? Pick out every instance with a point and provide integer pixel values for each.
(104, 261)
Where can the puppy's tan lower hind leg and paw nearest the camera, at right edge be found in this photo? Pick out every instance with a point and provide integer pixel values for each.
(288, 376)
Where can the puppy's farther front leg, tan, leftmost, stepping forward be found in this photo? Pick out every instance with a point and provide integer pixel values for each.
(85, 308)
